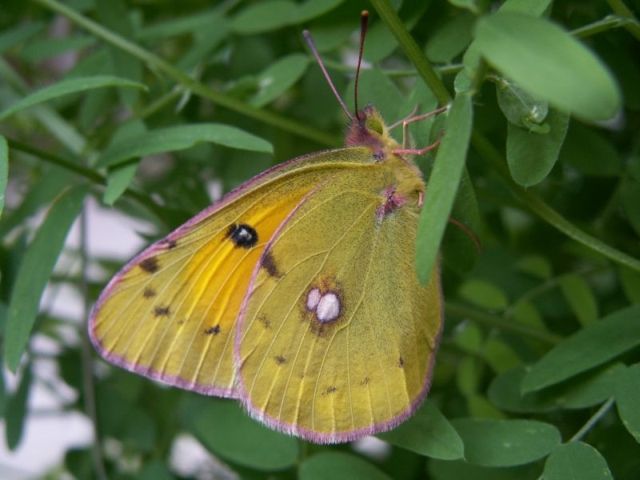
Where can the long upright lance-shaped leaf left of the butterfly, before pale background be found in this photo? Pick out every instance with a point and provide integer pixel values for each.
(34, 272)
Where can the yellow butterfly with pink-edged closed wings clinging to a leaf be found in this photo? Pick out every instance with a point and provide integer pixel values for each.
(296, 294)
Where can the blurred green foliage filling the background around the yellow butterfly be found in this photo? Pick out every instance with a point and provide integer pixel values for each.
(142, 105)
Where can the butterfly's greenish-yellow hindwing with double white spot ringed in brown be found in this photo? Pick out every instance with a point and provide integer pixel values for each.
(337, 339)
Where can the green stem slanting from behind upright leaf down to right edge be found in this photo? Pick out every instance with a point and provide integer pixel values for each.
(545, 212)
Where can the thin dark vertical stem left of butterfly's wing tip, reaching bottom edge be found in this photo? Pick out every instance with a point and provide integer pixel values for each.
(87, 361)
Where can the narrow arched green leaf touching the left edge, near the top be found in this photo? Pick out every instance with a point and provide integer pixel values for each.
(66, 87)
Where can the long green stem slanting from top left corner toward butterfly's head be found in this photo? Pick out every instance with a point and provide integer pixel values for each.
(155, 63)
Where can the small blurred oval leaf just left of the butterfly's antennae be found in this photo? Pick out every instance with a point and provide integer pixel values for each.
(278, 78)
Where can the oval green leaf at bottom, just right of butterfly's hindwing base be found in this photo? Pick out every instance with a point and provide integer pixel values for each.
(505, 443)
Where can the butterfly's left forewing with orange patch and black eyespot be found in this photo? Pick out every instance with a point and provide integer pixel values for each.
(170, 313)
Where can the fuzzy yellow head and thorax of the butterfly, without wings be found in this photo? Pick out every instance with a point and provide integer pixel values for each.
(406, 185)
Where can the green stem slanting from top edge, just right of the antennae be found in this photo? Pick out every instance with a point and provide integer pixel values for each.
(412, 50)
